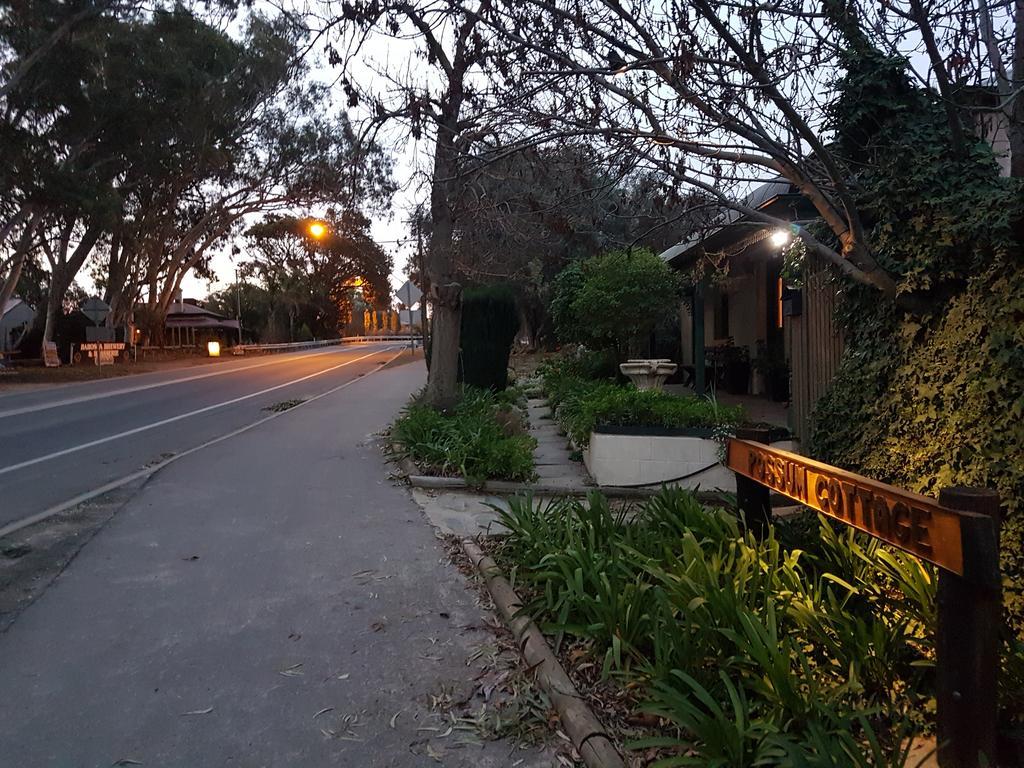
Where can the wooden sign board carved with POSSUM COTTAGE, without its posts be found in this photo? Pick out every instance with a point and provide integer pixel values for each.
(910, 522)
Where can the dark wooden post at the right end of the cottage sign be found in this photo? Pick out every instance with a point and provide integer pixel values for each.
(968, 636)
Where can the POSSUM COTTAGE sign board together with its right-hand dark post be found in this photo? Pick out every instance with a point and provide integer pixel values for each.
(959, 534)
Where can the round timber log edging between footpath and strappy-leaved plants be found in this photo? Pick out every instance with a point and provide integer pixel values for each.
(579, 721)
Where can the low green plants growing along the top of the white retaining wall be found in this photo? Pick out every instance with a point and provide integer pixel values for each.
(581, 405)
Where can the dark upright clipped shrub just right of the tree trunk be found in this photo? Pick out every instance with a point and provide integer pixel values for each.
(490, 323)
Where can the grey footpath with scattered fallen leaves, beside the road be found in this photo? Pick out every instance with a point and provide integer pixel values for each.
(273, 602)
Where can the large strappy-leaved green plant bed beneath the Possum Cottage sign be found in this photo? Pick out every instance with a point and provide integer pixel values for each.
(758, 653)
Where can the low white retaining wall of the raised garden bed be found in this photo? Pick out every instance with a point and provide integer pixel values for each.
(643, 460)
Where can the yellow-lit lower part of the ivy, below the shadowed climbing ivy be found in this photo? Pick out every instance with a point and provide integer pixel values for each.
(925, 404)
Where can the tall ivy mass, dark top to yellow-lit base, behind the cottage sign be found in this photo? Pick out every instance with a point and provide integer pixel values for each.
(931, 389)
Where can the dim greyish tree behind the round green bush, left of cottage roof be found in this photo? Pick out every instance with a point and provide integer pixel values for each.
(530, 214)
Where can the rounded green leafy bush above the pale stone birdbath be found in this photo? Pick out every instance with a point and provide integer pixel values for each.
(615, 302)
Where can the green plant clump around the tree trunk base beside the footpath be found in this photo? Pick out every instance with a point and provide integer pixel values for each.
(483, 439)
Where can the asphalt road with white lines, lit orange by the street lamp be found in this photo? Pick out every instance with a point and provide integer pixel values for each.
(62, 443)
